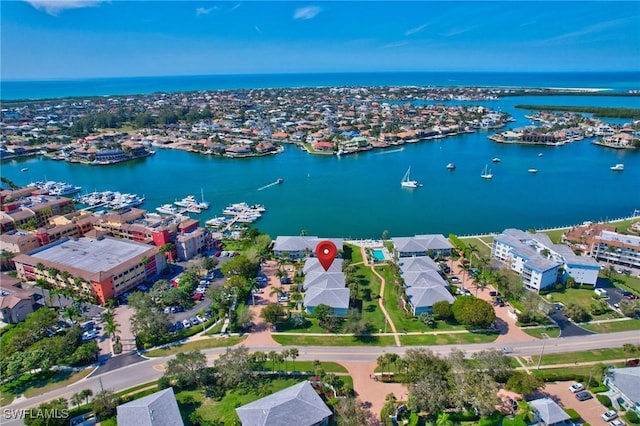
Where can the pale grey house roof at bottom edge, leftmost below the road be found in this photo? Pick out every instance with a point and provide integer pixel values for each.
(157, 409)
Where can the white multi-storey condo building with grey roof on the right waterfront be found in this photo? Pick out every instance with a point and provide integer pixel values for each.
(539, 261)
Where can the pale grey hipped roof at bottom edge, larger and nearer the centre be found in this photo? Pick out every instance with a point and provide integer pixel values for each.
(298, 405)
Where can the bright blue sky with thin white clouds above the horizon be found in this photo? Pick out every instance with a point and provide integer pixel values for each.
(61, 39)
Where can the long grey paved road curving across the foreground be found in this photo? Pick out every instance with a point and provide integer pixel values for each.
(152, 369)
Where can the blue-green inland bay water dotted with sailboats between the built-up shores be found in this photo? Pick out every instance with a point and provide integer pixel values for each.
(359, 195)
